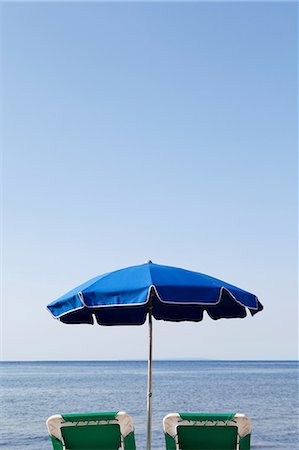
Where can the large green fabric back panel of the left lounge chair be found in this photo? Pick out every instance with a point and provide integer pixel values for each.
(92, 437)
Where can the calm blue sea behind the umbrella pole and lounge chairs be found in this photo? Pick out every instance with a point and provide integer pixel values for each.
(266, 391)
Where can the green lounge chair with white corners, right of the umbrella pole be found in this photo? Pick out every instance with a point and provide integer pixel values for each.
(207, 431)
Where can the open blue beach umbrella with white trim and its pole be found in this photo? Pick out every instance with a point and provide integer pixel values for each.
(128, 296)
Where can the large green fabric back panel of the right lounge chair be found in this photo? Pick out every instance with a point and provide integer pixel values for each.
(207, 438)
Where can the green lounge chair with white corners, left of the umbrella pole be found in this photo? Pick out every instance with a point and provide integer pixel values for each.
(94, 431)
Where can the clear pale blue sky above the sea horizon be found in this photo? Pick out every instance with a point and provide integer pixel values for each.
(163, 131)
